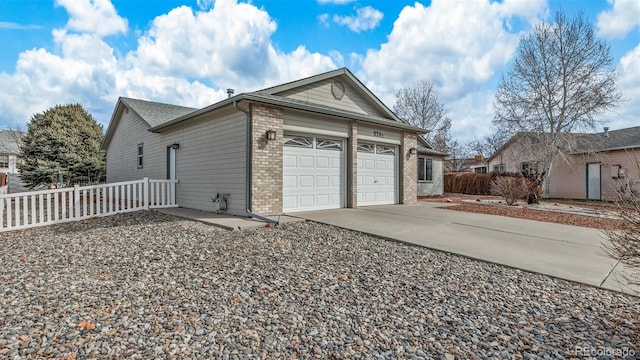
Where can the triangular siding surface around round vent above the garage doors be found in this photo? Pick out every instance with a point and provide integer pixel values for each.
(320, 93)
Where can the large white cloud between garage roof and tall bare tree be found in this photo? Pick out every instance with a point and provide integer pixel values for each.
(457, 45)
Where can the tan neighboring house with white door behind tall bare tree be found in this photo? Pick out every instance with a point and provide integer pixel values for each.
(590, 166)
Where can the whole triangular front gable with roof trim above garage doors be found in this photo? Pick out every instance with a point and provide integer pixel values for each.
(338, 89)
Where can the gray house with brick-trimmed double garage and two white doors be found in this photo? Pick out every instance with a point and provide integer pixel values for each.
(321, 142)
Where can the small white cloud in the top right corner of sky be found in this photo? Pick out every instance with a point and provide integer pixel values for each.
(618, 22)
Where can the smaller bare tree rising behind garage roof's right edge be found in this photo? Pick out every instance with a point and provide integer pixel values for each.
(421, 107)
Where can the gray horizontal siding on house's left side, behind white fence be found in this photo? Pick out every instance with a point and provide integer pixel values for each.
(210, 159)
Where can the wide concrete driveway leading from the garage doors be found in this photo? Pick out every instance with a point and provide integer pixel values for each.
(567, 252)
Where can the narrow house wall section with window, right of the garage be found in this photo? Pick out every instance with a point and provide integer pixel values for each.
(430, 169)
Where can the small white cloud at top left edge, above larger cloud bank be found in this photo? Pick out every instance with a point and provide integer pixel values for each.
(93, 16)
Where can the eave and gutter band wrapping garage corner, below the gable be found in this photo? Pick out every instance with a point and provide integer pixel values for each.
(256, 98)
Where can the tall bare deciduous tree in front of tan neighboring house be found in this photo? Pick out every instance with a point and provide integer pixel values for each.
(562, 80)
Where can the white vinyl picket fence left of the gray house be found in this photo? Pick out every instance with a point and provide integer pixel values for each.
(45, 207)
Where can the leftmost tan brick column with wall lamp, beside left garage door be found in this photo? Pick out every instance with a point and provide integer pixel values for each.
(266, 164)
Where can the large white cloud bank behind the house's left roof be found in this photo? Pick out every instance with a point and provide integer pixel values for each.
(186, 57)
